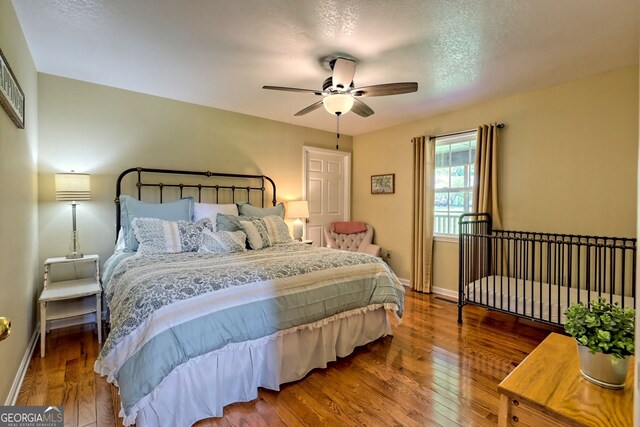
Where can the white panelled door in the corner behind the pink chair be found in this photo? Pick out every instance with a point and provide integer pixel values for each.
(327, 188)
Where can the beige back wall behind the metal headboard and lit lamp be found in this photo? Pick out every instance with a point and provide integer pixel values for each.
(102, 131)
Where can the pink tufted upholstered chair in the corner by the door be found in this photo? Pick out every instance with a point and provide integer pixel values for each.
(351, 236)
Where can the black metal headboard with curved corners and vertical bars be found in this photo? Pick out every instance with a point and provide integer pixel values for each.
(251, 183)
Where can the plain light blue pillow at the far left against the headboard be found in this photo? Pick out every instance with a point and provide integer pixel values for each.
(130, 208)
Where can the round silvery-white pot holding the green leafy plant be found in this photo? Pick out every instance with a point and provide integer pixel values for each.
(602, 369)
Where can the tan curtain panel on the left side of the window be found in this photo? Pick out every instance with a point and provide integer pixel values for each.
(423, 199)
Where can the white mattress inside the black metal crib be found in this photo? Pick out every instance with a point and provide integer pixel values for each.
(536, 300)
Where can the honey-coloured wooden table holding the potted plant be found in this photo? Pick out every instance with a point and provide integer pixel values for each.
(546, 389)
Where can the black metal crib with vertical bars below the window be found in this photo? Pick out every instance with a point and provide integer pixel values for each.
(538, 275)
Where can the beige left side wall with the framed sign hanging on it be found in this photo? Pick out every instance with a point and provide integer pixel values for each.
(18, 209)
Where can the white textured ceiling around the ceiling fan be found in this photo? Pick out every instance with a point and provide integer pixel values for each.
(220, 53)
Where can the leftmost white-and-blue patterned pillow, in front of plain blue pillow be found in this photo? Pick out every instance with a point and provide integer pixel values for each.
(157, 236)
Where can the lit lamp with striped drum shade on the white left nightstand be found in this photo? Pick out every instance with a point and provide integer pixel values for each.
(73, 187)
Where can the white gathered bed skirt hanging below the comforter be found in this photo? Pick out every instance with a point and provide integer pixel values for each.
(202, 387)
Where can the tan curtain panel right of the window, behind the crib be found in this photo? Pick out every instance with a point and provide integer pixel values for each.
(485, 188)
